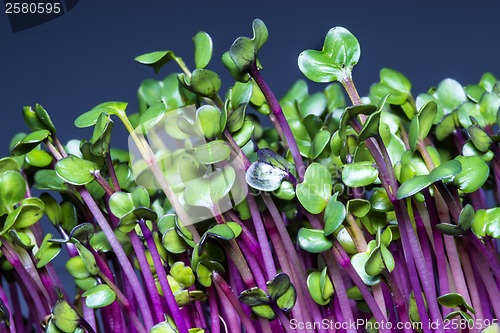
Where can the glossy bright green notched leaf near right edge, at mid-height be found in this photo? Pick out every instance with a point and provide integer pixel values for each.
(474, 173)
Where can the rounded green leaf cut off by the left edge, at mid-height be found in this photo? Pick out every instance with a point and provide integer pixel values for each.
(12, 190)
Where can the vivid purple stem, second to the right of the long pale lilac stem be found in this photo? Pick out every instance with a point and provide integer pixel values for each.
(162, 277)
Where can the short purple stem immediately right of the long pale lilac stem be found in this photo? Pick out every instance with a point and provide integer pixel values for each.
(147, 276)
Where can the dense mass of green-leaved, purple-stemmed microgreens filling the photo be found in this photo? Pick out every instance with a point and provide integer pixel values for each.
(233, 208)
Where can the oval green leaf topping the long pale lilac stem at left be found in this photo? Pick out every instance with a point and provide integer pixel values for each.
(75, 170)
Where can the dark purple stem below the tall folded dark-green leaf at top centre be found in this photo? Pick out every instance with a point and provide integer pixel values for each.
(280, 118)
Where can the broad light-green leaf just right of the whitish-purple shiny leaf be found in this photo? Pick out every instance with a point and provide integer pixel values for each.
(316, 189)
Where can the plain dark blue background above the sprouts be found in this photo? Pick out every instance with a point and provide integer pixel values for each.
(85, 57)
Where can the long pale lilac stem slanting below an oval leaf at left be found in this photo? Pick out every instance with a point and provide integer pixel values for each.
(121, 256)
